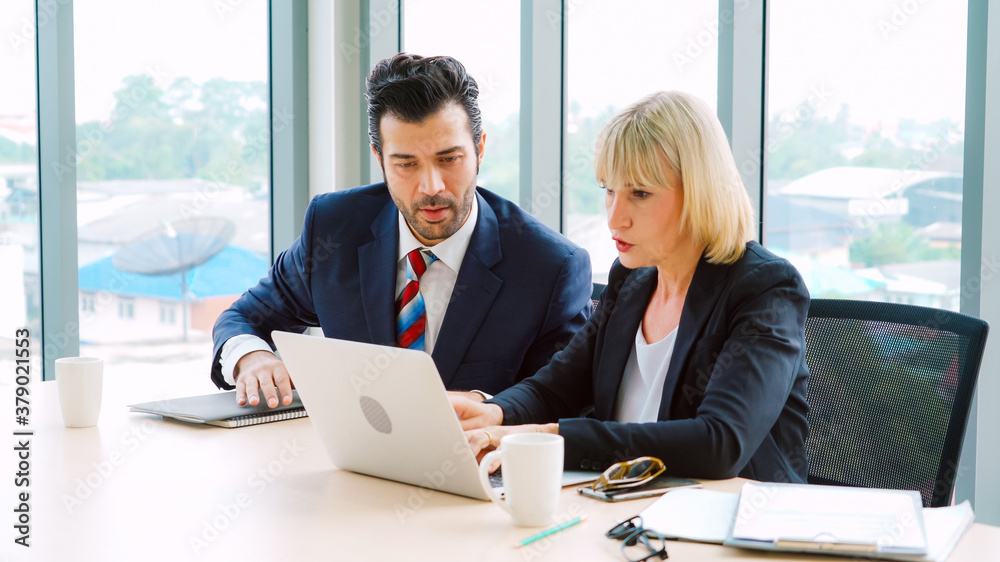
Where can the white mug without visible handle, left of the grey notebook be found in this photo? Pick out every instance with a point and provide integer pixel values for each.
(80, 382)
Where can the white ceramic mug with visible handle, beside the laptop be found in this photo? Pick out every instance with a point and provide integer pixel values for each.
(532, 476)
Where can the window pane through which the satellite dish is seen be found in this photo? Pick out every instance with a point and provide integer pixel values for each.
(172, 170)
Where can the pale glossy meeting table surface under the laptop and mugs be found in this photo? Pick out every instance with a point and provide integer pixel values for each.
(136, 487)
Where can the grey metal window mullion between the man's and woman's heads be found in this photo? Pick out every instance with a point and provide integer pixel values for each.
(541, 126)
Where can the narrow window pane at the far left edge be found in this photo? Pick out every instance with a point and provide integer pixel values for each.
(20, 283)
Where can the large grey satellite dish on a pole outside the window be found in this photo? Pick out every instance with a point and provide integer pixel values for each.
(176, 247)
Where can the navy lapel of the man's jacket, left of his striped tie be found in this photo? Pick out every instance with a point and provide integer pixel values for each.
(377, 264)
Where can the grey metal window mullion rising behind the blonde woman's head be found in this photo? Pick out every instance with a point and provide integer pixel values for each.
(742, 92)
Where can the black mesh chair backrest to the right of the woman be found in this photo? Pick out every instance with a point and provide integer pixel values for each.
(889, 392)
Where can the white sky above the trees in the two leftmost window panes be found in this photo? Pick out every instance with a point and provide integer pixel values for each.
(200, 39)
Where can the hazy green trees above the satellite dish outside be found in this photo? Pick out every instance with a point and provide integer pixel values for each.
(217, 130)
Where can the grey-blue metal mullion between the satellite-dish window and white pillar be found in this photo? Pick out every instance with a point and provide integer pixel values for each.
(288, 81)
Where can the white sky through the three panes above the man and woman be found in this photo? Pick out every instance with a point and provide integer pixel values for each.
(887, 59)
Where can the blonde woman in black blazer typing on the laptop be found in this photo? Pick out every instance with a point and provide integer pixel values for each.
(696, 354)
